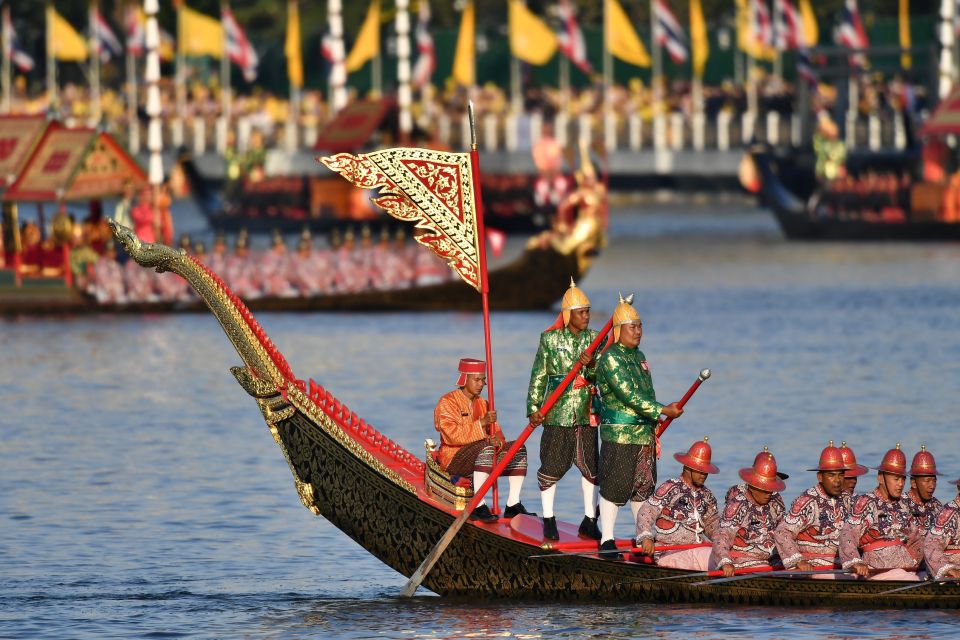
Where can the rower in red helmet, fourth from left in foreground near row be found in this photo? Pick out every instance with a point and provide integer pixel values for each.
(881, 526)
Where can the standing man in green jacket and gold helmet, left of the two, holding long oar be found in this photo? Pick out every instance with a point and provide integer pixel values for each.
(567, 438)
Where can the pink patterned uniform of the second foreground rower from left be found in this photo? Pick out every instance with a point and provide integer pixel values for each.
(746, 530)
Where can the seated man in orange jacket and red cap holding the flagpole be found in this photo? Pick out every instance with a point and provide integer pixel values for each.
(470, 439)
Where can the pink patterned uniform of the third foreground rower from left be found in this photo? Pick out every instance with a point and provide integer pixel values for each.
(811, 529)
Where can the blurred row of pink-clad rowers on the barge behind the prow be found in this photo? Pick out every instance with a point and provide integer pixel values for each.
(345, 266)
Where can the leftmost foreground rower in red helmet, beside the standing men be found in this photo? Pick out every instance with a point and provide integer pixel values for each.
(682, 511)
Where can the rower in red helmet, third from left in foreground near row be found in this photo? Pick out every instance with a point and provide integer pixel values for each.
(808, 536)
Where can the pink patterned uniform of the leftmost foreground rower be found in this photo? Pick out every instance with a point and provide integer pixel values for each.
(676, 514)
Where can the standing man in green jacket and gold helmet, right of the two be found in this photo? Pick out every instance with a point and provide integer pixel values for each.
(628, 420)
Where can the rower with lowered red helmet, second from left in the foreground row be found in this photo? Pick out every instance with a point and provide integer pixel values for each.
(749, 519)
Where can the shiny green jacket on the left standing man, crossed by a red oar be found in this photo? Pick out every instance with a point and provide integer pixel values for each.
(559, 350)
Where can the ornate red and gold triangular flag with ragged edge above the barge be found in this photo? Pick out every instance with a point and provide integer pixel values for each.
(433, 189)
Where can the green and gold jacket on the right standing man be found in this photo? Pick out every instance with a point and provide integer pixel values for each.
(630, 408)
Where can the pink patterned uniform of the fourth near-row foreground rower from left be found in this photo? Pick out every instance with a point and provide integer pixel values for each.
(885, 531)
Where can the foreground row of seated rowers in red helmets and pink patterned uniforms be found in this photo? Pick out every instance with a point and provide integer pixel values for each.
(892, 532)
